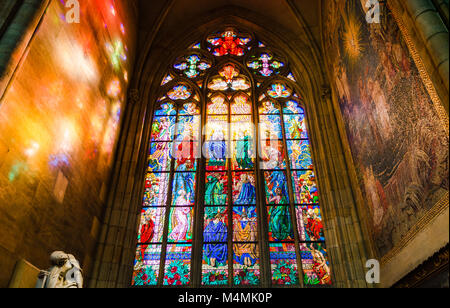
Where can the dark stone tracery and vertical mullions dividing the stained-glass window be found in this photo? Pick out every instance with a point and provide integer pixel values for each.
(259, 86)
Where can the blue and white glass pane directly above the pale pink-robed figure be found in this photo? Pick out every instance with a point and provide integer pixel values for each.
(183, 189)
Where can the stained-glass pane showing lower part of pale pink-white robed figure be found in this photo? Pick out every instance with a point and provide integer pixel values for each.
(180, 224)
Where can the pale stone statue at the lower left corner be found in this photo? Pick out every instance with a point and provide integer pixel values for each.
(64, 273)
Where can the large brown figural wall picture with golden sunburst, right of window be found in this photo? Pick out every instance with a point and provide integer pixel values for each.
(398, 145)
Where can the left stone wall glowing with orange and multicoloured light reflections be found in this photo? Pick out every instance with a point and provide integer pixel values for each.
(59, 124)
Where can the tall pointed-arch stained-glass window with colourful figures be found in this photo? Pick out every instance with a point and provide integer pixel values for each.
(231, 196)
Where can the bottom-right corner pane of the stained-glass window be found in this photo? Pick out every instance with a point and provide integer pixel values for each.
(316, 268)
